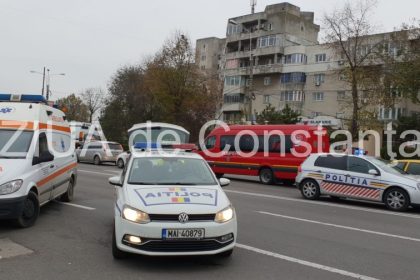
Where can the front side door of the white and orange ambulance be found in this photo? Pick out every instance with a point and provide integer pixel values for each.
(45, 170)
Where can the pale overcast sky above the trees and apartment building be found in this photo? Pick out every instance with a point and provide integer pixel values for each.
(89, 40)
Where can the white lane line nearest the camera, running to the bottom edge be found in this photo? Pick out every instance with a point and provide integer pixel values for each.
(306, 263)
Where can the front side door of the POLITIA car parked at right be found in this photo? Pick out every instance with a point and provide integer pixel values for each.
(363, 184)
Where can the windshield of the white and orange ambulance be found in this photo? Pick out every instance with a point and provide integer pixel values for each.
(19, 146)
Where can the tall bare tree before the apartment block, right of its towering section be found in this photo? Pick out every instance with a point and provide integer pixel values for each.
(347, 33)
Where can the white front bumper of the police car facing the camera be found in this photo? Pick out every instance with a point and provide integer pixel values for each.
(153, 245)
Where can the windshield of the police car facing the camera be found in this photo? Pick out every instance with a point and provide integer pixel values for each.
(170, 171)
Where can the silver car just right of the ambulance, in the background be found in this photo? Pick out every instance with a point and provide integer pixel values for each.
(99, 152)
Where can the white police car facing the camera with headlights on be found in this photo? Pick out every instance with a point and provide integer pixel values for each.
(171, 203)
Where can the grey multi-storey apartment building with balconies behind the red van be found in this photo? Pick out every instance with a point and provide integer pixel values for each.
(289, 66)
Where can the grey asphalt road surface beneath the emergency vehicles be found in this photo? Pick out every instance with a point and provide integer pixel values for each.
(281, 236)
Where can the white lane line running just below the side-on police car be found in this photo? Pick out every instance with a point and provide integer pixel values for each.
(326, 204)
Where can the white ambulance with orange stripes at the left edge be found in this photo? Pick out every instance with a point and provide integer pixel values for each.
(37, 159)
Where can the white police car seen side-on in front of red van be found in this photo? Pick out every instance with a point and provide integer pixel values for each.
(356, 177)
